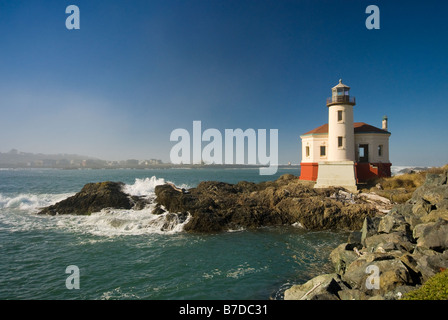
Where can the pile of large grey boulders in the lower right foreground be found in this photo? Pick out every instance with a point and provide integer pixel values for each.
(394, 253)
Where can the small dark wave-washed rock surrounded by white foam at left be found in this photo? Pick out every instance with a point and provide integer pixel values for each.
(94, 197)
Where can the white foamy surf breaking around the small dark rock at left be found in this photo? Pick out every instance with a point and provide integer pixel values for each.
(19, 211)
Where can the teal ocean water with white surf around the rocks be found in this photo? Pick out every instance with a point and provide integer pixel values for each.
(123, 254)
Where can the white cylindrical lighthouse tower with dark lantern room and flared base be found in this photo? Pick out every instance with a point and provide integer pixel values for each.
(339, 167)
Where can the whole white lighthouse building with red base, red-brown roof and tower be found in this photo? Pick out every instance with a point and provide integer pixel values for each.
(342, 152)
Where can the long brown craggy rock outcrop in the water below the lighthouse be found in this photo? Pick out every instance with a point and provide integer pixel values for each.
(218, 206)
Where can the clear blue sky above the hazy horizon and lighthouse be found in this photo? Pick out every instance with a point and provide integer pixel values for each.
(136, 70)
